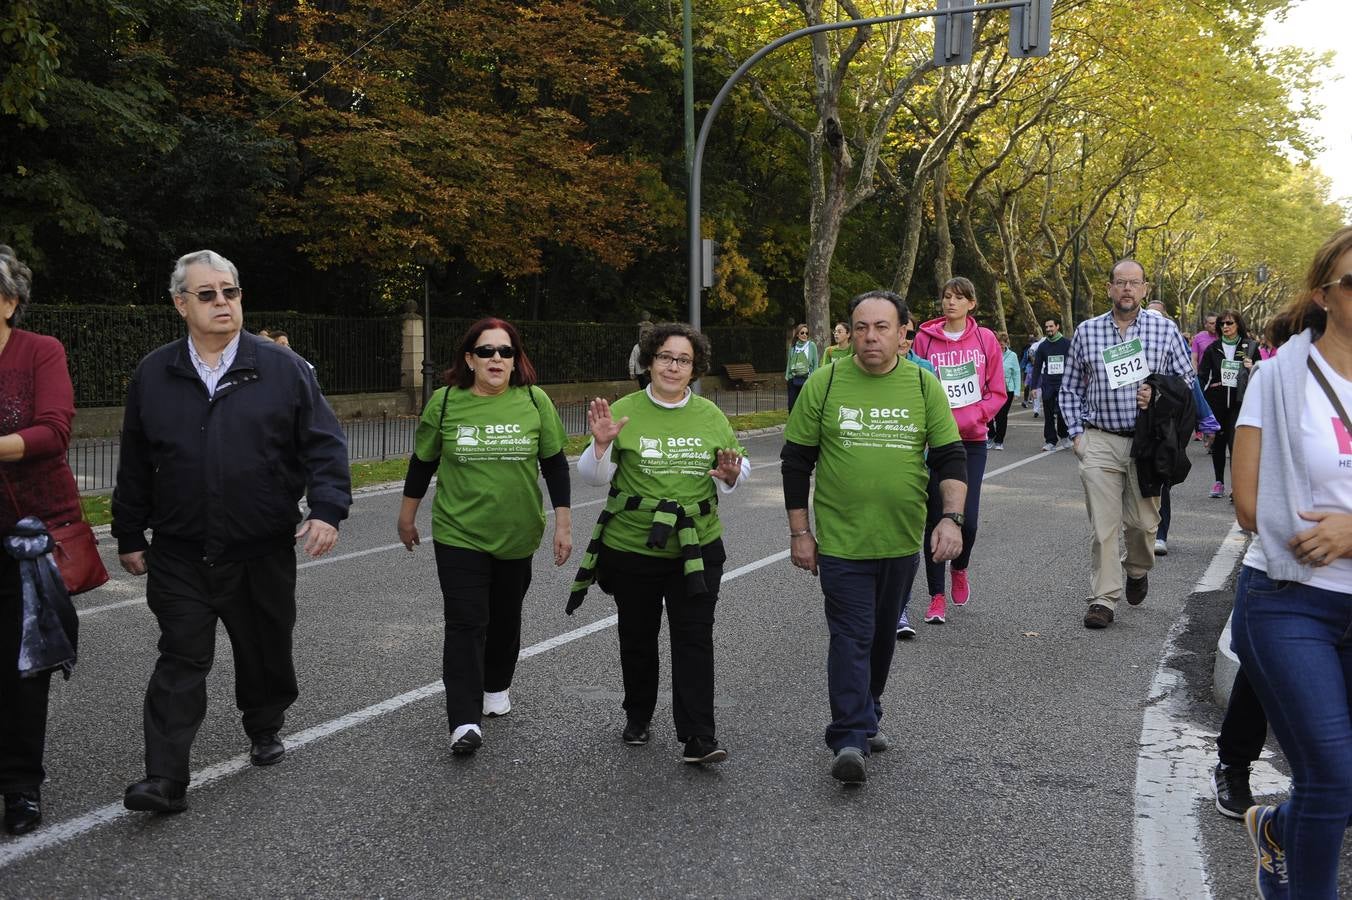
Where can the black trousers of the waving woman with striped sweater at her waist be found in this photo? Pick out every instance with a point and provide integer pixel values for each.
(640, 586)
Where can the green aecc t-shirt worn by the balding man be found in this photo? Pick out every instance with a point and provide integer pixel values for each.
(871, 478)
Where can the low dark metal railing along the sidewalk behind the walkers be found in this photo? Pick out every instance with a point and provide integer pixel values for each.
(386, 437)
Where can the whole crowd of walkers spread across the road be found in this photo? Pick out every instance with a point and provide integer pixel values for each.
(925, 403)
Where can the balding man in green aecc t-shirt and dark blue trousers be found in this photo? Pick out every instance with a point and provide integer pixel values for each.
(865, 426)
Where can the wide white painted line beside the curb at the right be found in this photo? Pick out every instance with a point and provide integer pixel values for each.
(1173, 770)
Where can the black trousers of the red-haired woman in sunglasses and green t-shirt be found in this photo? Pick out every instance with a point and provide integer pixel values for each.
(482, 597)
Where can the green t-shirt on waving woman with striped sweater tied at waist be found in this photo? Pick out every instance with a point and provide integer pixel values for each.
(666, 455)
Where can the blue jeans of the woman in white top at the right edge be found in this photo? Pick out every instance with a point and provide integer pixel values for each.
(1296, 645)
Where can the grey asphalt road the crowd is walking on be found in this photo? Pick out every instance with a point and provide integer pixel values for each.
(1013, 771)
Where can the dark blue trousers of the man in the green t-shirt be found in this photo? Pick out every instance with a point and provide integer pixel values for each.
(863, 602)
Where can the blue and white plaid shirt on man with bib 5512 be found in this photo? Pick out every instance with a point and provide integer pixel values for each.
(1086, 395)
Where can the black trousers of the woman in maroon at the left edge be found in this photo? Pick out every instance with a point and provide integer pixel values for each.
(24, 702)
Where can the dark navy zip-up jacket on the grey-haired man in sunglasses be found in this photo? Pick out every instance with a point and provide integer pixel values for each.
(220, 478)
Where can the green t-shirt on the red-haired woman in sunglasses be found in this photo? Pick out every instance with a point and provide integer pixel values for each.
(489, 478)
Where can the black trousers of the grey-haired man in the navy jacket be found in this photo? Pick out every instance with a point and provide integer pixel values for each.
(256, 602)
